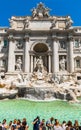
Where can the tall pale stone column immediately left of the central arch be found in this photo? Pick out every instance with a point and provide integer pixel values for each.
(26, 55)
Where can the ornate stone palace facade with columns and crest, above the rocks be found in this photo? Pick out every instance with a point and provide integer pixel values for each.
(51, 40)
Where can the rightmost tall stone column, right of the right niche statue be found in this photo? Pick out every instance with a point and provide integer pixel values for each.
(70, 55)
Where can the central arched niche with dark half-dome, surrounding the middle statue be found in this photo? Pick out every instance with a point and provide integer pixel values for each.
(37, 50)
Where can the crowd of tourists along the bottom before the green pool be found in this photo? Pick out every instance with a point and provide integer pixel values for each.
(50, 124)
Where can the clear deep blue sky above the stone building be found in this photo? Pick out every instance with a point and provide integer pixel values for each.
(10, 8)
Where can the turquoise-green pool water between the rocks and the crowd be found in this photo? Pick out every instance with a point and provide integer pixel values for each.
(19, 109)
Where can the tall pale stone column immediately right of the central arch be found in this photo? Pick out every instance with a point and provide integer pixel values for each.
(55, 62)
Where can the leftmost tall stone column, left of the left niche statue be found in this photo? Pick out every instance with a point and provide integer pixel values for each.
(11, 56)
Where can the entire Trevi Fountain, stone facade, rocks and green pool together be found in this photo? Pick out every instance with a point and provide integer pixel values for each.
(40, 67)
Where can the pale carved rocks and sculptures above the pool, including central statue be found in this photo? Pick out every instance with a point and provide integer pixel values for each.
(40, 85)
